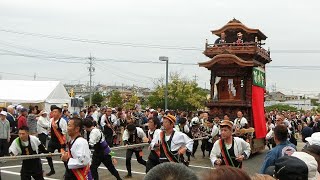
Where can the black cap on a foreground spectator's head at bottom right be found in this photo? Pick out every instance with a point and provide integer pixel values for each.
(290, 167)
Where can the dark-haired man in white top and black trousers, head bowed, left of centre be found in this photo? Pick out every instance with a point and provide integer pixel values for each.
(133, 135)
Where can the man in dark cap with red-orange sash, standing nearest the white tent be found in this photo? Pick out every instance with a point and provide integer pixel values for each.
(58, 132)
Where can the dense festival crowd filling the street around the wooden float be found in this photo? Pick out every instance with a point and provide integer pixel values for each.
(85, 139)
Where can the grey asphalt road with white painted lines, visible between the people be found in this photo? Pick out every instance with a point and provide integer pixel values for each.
(10, 170)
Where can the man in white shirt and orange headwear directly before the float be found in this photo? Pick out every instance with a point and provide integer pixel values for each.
(229, 151)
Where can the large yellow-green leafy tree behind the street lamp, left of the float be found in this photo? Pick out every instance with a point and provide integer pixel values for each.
(182, 94)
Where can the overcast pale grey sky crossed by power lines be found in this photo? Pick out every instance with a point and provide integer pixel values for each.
(128, 29)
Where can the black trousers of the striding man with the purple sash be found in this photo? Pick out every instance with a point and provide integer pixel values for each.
(107, 161)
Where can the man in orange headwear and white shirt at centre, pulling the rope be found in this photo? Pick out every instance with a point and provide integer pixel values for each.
(172, 144)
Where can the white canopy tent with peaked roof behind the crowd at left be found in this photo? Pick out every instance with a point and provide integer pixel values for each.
(42, 93)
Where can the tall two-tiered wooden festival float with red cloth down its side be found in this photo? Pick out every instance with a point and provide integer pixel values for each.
(237, 64)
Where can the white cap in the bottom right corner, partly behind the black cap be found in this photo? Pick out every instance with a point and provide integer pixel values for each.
(310, 162)
